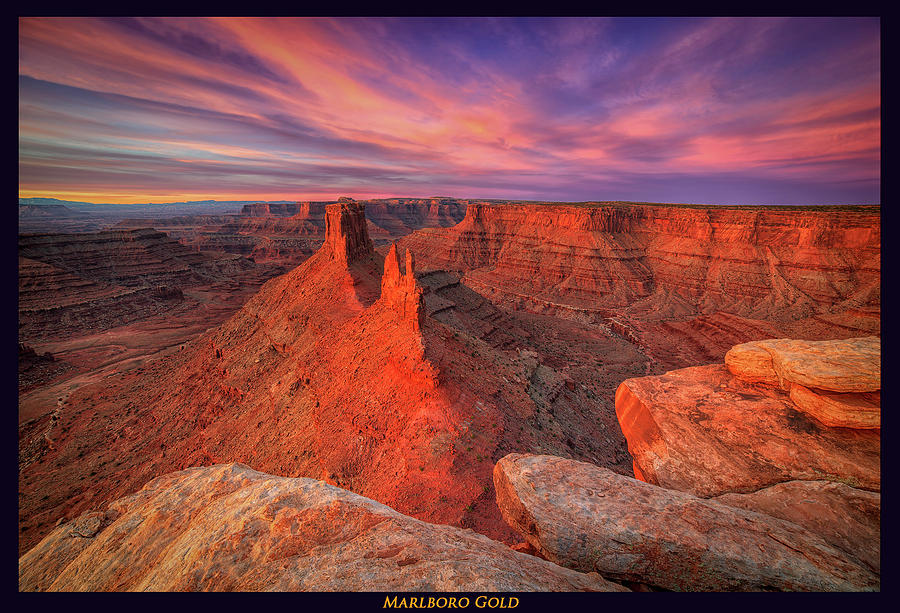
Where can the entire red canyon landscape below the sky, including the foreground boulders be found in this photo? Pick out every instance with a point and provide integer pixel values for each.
(443, 394)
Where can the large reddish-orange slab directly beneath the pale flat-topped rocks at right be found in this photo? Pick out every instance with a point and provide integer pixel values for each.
(702, 430)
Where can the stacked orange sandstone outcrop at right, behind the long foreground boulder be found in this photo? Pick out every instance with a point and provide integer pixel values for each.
(736, 433)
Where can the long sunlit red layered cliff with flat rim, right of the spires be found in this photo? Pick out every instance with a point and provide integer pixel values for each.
(685, 283)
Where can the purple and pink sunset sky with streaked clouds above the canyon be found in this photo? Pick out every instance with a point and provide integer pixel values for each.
(697, 110)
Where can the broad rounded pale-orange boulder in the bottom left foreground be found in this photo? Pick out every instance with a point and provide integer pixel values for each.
(230, 528)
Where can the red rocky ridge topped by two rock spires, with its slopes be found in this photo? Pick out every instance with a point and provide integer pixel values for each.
(318, 376)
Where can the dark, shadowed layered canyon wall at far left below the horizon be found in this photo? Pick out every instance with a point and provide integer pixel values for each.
(71, 284)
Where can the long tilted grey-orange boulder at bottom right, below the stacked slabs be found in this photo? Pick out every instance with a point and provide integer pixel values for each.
(592, 519)
